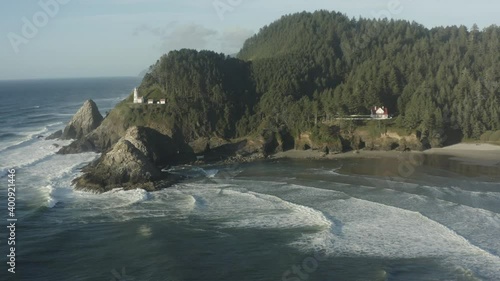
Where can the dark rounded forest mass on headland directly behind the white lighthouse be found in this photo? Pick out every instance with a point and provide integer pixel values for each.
(207, 92)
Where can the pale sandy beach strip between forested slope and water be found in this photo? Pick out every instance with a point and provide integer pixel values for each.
(479, 154)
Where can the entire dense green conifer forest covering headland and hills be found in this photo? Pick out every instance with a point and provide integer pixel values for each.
(306, 69)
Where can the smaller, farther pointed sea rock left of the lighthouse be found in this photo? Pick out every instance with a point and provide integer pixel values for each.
(87, 119)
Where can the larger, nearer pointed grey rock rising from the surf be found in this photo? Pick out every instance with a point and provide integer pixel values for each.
(123, 166)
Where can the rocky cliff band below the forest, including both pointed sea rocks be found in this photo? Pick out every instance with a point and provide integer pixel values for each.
(136, 140)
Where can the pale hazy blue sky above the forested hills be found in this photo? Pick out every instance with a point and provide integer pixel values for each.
(108, 38)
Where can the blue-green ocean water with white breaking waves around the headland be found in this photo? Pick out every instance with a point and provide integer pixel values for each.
(411, 218)
